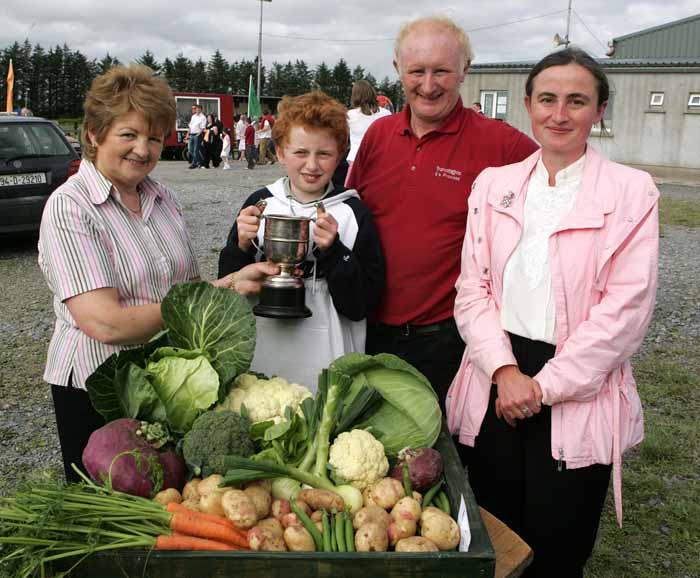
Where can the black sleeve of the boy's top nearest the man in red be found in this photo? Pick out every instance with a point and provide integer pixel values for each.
(355, 277)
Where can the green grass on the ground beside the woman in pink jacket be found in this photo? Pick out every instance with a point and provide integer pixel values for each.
(660, 536)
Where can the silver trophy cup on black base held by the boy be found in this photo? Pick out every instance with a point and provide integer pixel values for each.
(285, 243)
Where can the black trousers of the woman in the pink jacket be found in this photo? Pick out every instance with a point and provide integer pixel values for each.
(515, 477)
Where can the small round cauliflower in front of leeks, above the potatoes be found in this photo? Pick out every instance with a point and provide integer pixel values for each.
(357, 458)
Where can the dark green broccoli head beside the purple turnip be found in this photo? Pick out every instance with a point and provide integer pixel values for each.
(216, 434)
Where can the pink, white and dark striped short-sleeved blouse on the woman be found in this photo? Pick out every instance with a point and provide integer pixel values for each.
(90, 240)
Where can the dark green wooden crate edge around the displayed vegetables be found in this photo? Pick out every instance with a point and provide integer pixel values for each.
(479, 561)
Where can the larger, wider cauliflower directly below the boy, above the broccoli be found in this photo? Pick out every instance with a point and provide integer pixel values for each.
(265, 399)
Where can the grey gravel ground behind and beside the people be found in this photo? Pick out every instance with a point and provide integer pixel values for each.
(28, 440)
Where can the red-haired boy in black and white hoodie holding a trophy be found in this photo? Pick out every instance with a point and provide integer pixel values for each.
(345, 268)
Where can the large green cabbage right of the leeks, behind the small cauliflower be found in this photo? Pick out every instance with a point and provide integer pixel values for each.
(409, 414)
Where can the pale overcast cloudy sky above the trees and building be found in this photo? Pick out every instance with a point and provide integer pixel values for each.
(360, 31)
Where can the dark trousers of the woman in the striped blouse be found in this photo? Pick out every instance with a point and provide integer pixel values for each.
(76, 419)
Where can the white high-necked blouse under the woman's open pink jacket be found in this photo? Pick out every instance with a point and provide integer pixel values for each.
(527, 308)
